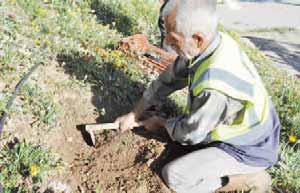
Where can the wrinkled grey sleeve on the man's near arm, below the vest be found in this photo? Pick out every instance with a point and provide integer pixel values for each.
(209, 109)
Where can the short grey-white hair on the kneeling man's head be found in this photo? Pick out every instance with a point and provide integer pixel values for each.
(194, 16)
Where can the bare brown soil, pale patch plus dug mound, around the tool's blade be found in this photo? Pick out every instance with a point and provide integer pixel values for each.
(120, 162)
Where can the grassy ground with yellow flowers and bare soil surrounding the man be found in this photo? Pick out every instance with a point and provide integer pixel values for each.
(83, 79)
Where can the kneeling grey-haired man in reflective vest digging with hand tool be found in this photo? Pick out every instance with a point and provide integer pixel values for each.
(228, 107)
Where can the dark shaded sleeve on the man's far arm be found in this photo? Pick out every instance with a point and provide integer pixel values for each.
(174, 78)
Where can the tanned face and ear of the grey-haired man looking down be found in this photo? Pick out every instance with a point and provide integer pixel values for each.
(187, 47)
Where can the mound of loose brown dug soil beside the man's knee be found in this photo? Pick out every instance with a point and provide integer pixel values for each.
(121, 163)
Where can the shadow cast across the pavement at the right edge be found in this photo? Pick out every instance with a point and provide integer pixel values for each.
(281, 52)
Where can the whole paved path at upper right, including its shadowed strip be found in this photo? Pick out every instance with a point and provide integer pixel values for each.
(282, 46)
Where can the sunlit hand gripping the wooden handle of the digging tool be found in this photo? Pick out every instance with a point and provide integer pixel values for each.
(127, 122)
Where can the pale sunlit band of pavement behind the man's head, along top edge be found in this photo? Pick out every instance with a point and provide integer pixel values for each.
(260, 15)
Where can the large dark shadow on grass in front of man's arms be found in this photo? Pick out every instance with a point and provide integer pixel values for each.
(114, 92)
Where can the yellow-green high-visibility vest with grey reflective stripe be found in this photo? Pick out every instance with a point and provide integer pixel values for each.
(230, 72)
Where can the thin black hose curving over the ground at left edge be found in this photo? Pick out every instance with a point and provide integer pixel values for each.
(15, 94)
